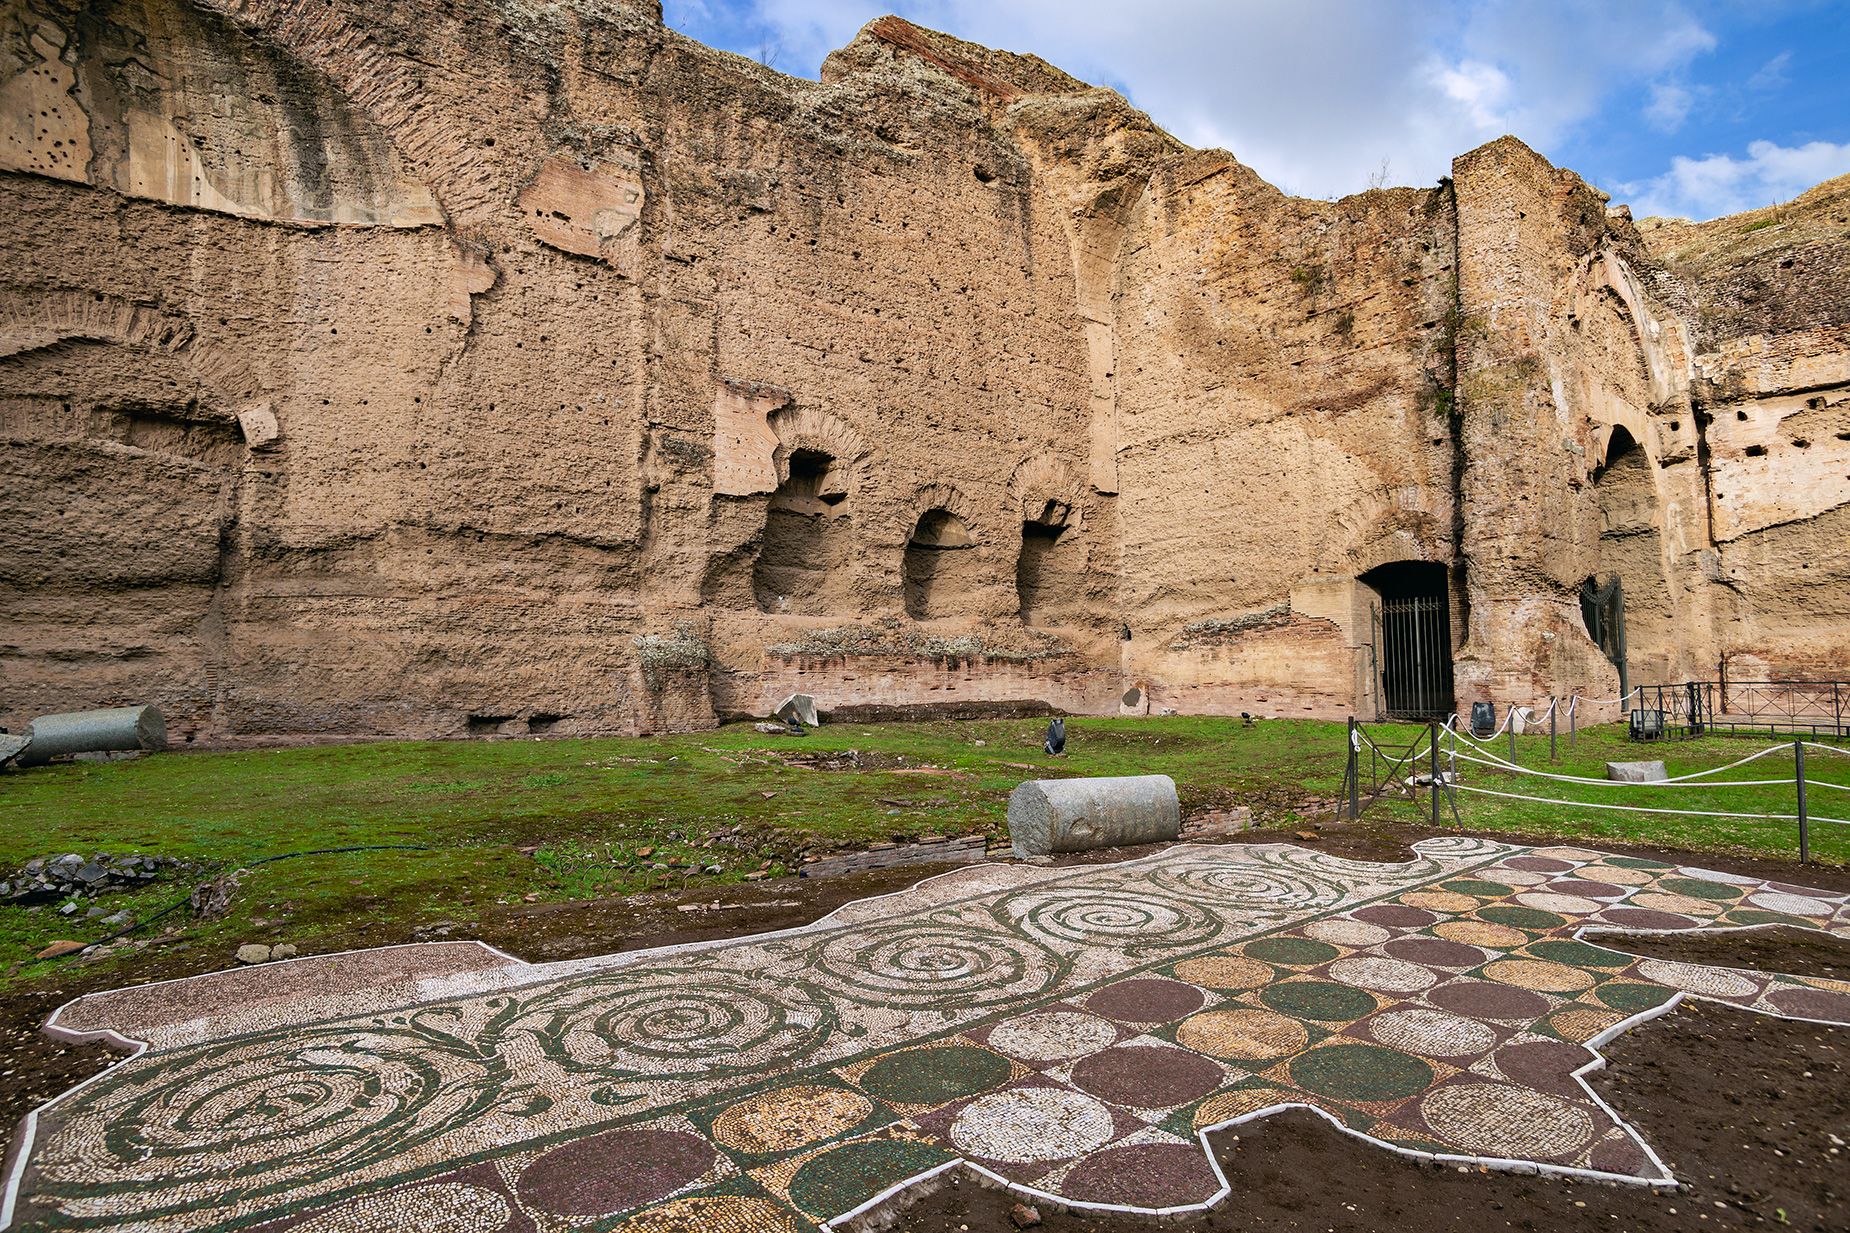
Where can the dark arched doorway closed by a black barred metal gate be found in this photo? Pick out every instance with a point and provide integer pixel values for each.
(1414, 640)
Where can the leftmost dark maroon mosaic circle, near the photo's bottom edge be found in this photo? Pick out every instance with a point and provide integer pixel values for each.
(617, 1171)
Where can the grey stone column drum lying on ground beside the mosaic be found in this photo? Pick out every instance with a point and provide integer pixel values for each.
(1078, 816)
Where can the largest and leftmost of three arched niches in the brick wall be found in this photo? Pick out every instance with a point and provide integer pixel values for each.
(809, 540)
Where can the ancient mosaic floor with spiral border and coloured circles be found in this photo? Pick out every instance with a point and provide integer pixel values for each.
(1070, 1032)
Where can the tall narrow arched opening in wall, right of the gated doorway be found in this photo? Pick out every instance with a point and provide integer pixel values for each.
(1633, 616)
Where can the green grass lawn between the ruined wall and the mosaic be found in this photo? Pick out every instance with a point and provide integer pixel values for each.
(523, 821)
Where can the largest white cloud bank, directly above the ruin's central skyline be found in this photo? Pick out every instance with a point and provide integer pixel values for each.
(1313, 95)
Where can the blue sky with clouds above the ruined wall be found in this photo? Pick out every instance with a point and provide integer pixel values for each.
(1694, 108)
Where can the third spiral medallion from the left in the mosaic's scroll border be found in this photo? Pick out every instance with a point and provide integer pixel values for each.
(928, 965)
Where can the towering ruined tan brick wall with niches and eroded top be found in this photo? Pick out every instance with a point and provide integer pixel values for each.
(489, 369)
